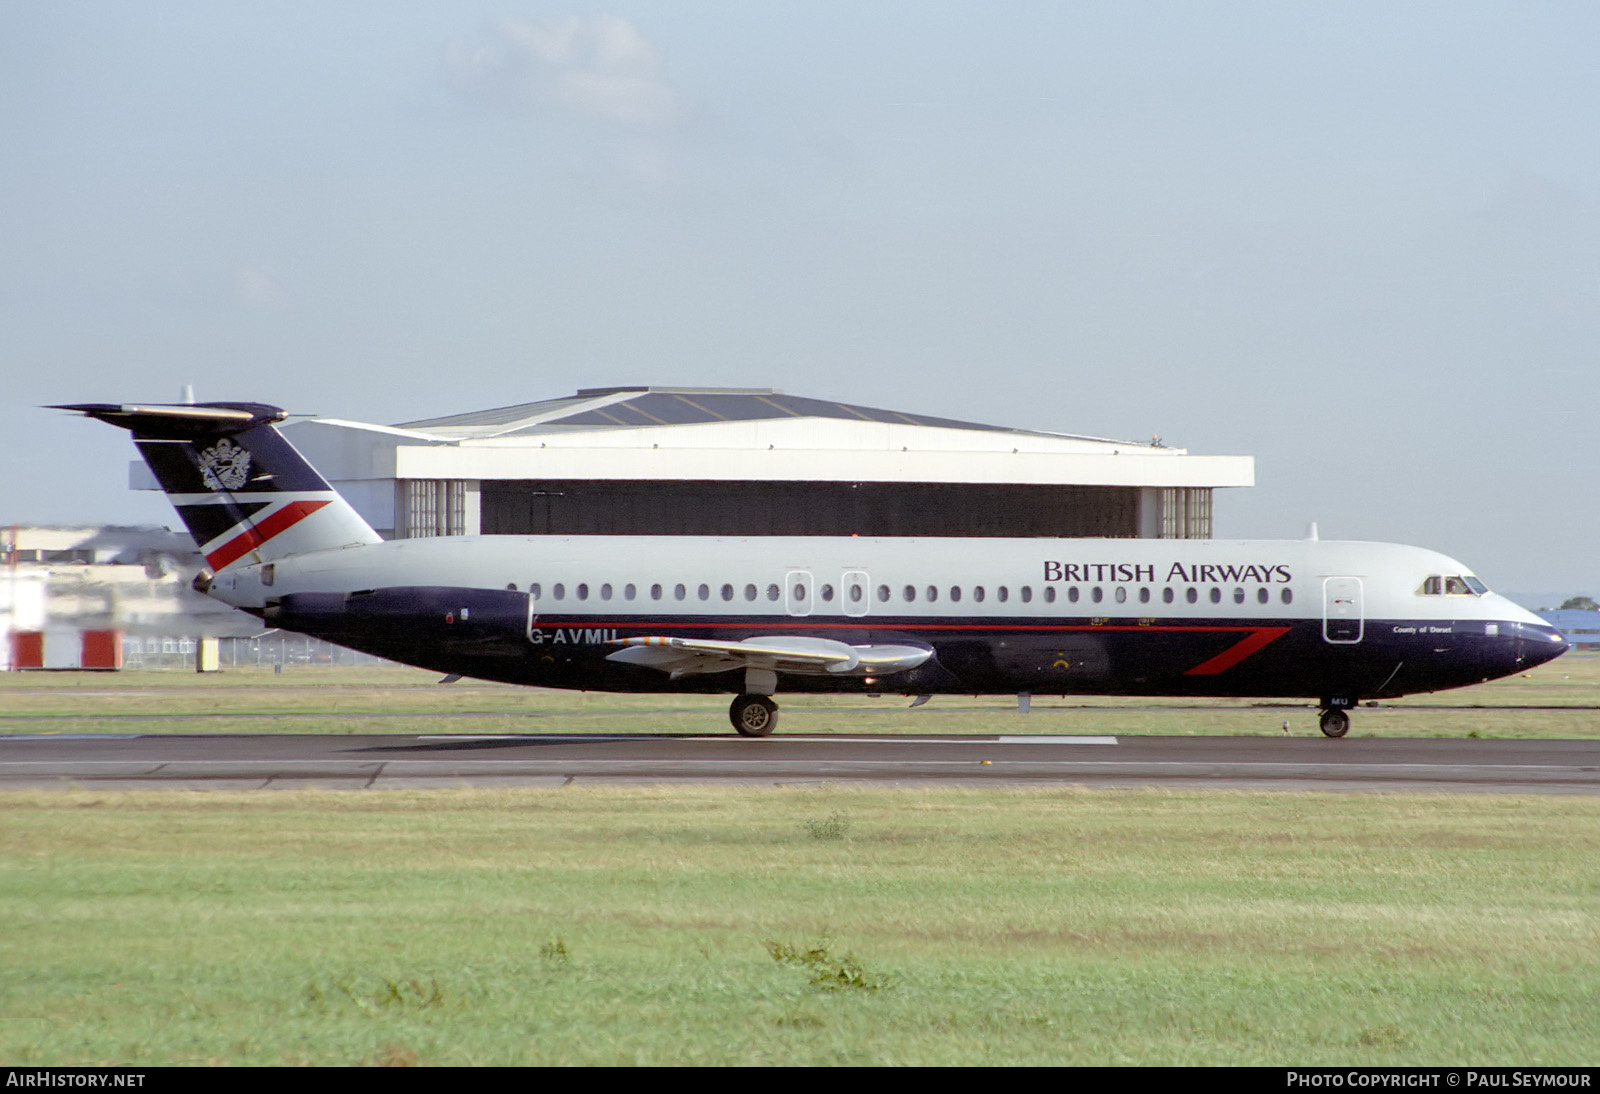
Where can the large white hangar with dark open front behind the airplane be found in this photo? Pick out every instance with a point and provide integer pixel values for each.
(710, 461)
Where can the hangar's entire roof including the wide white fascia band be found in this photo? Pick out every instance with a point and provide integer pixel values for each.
(735, 436)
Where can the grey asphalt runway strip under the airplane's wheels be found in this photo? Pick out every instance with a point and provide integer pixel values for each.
(361, 762)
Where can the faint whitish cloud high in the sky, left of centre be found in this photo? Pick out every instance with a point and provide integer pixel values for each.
(599, 68)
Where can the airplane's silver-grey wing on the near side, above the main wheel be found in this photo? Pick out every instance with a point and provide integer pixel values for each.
(777, 653)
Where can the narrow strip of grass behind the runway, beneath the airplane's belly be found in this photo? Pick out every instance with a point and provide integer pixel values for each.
(1561, 700)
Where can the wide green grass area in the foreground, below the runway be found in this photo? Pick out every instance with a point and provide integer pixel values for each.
(697, 925)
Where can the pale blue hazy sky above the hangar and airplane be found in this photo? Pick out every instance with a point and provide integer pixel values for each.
(1358, 242)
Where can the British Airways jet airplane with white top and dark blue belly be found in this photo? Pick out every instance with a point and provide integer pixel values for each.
(1338, 623)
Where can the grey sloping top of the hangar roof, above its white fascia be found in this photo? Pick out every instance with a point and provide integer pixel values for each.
(601, 409)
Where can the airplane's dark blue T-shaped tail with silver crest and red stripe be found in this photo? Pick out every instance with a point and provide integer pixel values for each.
(244, 492)
